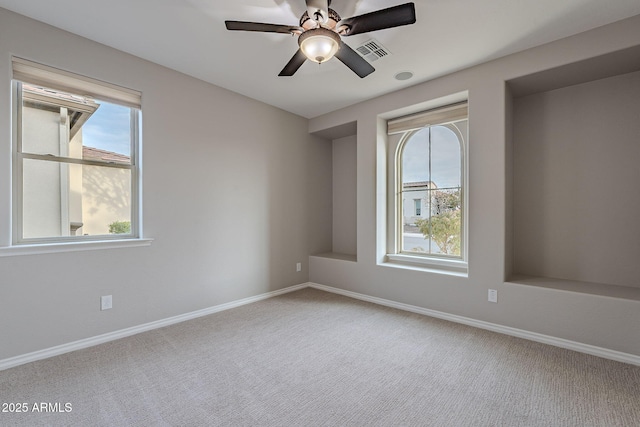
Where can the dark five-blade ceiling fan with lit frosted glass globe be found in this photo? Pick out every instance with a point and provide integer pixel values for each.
(321, 30)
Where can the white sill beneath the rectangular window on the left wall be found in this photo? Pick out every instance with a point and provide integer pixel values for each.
(48, 248)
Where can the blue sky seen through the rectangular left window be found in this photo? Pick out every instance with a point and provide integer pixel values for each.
(109, 128)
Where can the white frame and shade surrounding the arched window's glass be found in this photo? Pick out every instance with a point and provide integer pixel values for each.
(400, 131)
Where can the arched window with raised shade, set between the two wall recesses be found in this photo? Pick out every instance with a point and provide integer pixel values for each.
(428, 191)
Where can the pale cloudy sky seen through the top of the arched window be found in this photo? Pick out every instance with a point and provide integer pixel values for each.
(445, 161)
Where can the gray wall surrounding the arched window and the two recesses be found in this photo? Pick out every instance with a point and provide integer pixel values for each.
(584, 317)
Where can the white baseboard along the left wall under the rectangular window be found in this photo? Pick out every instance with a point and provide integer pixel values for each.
(111, 336)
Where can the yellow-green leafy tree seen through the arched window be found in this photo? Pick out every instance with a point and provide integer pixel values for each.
(444, 225)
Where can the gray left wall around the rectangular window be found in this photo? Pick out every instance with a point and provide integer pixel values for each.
(226, 180)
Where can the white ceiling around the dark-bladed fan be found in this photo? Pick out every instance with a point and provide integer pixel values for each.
(190, 36)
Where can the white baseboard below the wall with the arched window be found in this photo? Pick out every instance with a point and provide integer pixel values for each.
(520, 333)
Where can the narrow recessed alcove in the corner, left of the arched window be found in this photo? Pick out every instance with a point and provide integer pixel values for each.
(342, 142)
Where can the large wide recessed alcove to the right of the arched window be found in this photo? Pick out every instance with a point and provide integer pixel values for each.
(573, 177)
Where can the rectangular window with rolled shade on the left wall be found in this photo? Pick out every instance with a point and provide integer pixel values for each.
(76, 166)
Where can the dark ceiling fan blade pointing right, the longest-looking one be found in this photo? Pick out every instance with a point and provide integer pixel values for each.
(396, 16)
